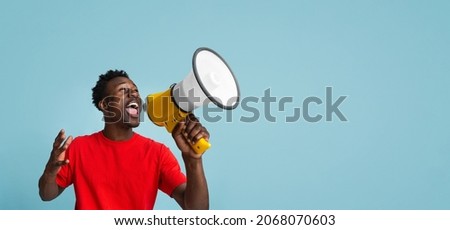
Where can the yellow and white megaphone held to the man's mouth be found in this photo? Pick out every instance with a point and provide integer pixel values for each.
(210, 80)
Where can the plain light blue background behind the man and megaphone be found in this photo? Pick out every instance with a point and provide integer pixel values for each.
(390, 58)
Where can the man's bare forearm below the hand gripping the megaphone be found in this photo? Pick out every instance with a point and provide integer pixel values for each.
(196, 195)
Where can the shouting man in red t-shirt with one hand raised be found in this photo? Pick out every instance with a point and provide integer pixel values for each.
(117, 168)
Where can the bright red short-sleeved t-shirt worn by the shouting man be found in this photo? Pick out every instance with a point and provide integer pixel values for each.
(119, 175)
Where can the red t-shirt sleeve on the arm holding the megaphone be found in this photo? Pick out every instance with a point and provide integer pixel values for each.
(171, 175)
